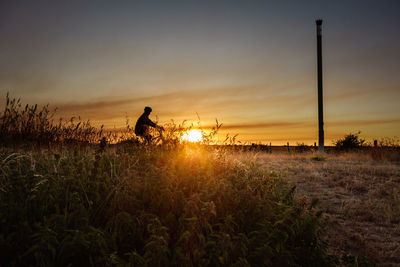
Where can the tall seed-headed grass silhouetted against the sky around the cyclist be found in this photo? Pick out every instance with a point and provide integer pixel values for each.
(32, 124)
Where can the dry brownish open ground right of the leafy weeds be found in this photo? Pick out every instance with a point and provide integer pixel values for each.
(360, 198)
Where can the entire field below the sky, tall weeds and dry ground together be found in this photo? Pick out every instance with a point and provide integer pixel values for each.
(73, 195)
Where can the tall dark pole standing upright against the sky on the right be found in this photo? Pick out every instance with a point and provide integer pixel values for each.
(320, 100)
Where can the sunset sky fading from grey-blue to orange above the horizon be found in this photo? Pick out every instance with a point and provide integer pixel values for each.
(249, 64)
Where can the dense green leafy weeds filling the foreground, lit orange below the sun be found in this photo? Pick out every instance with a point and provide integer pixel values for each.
(151, 206)
